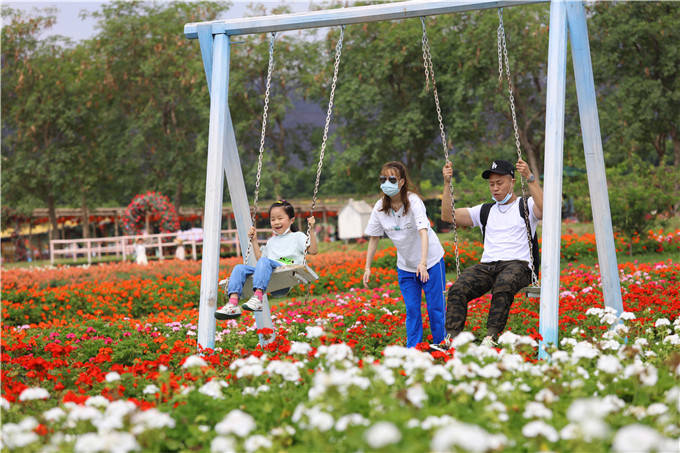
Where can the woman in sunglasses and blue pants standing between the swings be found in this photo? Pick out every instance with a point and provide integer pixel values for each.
(400, 214)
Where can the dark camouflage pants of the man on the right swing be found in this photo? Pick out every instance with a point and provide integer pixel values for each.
(503, 278)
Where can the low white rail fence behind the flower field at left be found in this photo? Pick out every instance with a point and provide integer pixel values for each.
(123, 246)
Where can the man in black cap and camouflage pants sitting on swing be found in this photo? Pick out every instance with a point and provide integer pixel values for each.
(505, 267)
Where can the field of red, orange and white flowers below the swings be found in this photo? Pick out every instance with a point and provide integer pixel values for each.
(105, 359)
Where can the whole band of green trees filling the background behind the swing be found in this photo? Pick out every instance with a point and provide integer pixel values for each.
(98, 121)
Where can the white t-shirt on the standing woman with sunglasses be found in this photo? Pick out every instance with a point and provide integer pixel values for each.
(403, 229)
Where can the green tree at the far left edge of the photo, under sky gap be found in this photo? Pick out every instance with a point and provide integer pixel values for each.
(35, 103)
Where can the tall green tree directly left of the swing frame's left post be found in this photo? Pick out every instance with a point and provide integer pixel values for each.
(155, 88)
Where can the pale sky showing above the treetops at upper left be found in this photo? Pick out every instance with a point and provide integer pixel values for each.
(70, 24)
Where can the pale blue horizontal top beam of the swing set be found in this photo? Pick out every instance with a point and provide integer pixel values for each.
(346, 16)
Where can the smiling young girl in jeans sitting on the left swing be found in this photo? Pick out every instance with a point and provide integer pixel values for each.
(286, 246)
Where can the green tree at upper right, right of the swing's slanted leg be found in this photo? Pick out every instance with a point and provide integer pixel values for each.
(634, 47)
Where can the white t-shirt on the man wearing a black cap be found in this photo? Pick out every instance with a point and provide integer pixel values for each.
(506, 232)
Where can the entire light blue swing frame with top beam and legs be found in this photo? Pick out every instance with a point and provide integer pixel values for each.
(567, 17)
